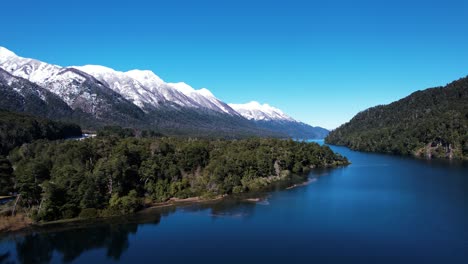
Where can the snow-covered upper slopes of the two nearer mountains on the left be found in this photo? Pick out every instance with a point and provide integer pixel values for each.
(143, 88)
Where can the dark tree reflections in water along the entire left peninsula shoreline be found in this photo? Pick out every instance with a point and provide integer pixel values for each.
(73, 239)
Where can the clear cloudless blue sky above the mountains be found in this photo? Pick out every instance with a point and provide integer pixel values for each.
(319, 61)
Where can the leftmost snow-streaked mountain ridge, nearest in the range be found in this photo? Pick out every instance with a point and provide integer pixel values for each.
(77, 89)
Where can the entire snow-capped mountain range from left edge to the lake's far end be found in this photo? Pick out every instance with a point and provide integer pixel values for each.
(94, 95)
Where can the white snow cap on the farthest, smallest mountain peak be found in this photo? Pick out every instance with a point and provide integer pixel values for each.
(256, 111)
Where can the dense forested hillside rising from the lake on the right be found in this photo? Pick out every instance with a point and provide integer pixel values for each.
(429, 123)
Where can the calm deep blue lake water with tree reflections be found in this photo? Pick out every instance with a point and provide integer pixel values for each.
(380, 209)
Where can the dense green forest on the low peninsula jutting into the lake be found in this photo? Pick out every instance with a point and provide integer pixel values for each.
(110, 175)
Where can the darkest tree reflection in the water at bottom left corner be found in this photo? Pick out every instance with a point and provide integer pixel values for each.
(71, 243)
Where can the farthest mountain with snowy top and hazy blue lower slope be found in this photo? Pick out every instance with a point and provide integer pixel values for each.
(271, 118)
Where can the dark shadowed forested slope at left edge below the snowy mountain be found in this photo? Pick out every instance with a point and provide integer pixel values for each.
(17, 129)
